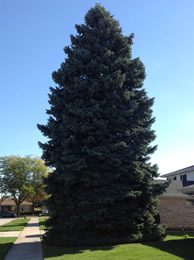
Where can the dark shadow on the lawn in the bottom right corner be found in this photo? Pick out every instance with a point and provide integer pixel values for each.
(181, 248)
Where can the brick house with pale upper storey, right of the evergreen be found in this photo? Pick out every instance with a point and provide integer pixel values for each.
(176, 207)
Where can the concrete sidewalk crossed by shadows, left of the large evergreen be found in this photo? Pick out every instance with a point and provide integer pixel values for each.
(28, 245)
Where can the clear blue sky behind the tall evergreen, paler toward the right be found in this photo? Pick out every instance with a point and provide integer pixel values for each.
(33, 35)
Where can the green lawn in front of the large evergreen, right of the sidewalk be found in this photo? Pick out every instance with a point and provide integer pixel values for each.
(176, 246)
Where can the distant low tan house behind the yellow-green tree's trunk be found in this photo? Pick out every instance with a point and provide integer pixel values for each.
(9, 205)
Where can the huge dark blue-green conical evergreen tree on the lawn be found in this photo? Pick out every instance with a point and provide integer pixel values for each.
(99, 132)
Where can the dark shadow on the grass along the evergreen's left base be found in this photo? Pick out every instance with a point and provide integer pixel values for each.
(52, 251)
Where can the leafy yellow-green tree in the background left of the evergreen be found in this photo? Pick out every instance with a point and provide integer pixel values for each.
(21, 178)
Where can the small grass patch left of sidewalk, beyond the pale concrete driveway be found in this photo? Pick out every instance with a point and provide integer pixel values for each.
(15, 225)
